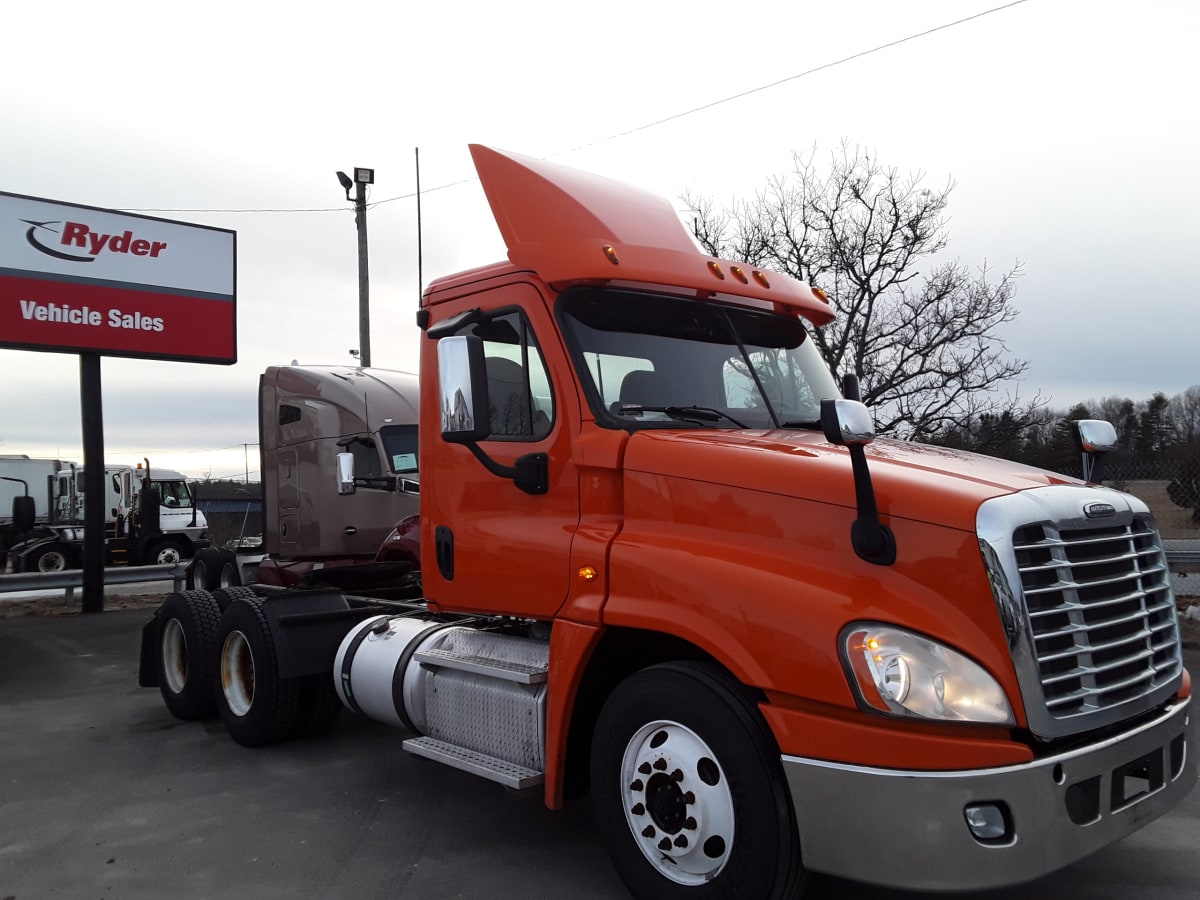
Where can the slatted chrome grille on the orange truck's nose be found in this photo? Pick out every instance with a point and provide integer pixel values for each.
(1101, 613)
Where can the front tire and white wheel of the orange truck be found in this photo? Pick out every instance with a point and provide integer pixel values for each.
(688, 789)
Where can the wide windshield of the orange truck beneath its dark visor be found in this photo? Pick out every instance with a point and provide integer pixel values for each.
(650, 361)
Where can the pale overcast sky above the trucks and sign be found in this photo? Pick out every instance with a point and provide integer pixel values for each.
(1069, 127)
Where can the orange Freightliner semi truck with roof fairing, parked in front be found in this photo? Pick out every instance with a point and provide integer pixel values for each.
(665, 562)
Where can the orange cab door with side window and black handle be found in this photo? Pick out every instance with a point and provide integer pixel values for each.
(499, 549)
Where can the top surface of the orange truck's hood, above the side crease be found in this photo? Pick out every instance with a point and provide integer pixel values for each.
(916, 482)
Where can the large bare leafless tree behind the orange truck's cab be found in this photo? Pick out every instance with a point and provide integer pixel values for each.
(925, 346)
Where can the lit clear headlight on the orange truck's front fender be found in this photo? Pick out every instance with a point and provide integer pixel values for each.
(902, 674)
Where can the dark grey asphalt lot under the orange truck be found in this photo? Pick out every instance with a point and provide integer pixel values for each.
(104, 795)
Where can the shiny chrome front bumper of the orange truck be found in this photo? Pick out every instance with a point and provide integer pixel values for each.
(908, 830)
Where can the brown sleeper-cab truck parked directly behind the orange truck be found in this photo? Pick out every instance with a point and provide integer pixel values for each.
(311, 532)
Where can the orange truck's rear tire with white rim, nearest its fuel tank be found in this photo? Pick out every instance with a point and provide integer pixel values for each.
(256, 705)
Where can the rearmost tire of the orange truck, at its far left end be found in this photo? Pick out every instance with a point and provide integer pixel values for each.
(188, 655)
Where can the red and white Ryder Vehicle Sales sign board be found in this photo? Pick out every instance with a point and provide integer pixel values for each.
(79, 279)
